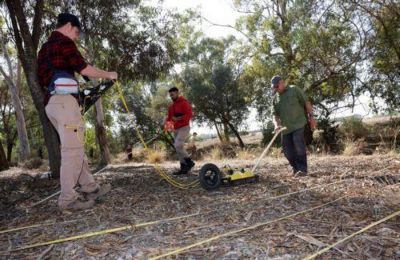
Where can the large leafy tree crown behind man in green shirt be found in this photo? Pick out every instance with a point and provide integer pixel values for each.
(309, 43)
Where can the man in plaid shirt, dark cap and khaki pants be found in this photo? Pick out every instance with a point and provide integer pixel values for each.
(59, 55)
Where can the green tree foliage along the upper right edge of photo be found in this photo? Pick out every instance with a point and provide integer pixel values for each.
(382, 80)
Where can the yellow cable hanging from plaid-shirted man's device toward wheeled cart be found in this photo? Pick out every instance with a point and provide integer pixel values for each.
(160, 171)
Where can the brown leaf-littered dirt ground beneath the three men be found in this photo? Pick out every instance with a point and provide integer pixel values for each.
(140, 195)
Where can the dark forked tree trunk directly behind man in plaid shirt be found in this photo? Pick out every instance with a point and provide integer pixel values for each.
(26, 44)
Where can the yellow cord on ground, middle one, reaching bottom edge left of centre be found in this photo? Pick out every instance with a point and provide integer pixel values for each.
(234, 232)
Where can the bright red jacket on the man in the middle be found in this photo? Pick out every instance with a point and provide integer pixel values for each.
(180, 107)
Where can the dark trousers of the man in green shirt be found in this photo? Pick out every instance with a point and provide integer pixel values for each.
(294, 148)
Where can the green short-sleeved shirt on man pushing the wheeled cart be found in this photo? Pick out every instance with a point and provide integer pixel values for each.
(289, 107)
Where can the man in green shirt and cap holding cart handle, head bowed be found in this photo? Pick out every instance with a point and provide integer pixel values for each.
(291, 109)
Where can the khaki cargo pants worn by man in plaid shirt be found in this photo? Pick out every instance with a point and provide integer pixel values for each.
(64, 113)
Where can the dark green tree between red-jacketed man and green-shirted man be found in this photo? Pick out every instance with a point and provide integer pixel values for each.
(212, 85)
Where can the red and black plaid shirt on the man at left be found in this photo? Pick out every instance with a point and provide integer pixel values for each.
(63, 54)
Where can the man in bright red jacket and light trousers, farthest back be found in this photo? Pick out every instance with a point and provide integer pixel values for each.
(180, 112)
